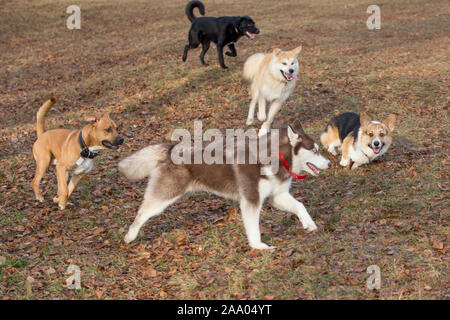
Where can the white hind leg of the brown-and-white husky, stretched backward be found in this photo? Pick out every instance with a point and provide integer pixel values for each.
(150, 207)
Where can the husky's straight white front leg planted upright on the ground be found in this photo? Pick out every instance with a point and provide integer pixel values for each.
(250, 216)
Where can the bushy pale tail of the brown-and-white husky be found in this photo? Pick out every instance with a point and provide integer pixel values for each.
(141, 163)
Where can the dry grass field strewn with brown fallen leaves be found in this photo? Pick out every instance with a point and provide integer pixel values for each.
(126, 60)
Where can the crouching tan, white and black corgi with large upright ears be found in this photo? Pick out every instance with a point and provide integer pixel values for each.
(359, 139)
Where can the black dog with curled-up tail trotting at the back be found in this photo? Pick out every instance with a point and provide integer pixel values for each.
(222, 31)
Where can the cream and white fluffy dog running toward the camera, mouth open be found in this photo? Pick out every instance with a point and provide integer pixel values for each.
(272, 78)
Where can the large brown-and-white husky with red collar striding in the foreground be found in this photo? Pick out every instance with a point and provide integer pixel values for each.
(249, 184)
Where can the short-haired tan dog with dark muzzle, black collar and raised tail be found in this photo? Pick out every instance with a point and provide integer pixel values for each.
(70, 149)
